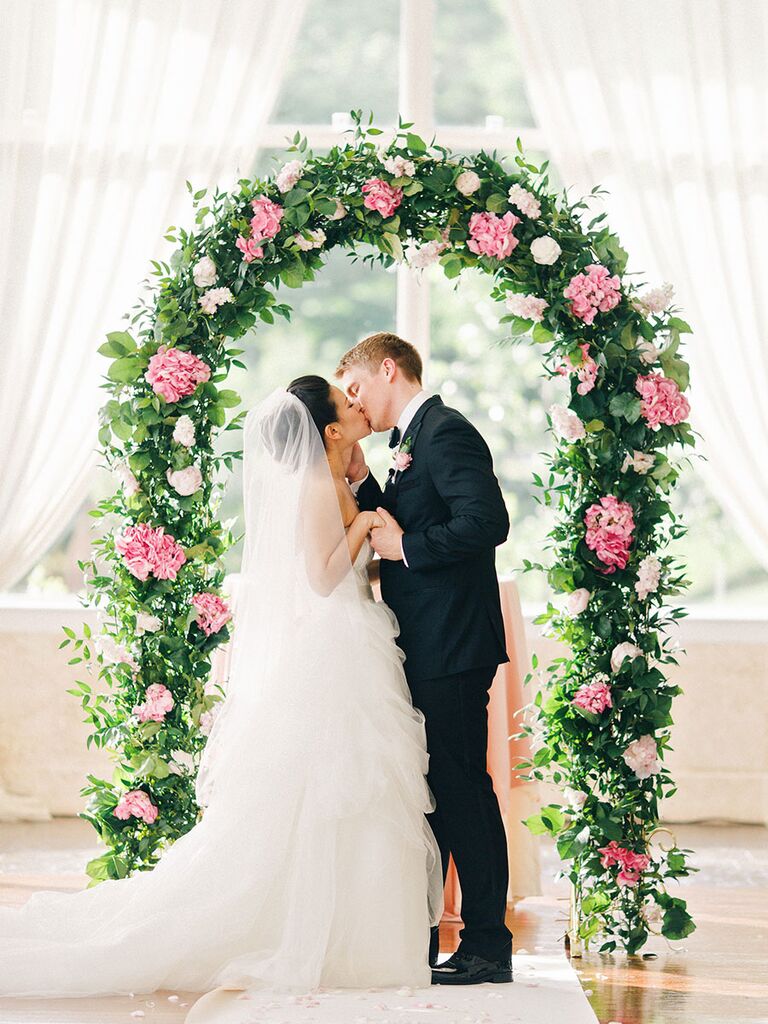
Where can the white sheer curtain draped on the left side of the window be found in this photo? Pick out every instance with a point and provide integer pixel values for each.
(107, 107)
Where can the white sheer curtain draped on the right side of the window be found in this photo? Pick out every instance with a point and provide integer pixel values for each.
(665, 104)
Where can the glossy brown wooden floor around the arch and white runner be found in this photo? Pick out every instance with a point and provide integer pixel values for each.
(718, 975)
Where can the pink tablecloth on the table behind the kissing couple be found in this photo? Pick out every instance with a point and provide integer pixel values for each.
(518, 799)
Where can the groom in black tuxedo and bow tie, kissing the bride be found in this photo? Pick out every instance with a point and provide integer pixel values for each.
(444, 516)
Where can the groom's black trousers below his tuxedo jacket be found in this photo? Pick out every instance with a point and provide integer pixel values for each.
(467, 822)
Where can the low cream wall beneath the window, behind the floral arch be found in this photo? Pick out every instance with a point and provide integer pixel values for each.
(720, 737)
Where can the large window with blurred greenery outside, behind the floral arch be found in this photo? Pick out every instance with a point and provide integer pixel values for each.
(348, 57)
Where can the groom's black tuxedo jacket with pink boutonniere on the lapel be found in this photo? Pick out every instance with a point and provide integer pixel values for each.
(451, 507)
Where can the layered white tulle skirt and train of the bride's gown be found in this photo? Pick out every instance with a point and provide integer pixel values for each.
(313, 866)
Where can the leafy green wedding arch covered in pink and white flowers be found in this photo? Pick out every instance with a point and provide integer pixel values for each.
(601, 722)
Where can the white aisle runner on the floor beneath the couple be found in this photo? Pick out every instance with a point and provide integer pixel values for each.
(546, 991)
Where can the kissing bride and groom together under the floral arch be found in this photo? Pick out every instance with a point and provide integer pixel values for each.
(349, 760)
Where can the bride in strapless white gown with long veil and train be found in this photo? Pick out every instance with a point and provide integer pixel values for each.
(314, 864)
